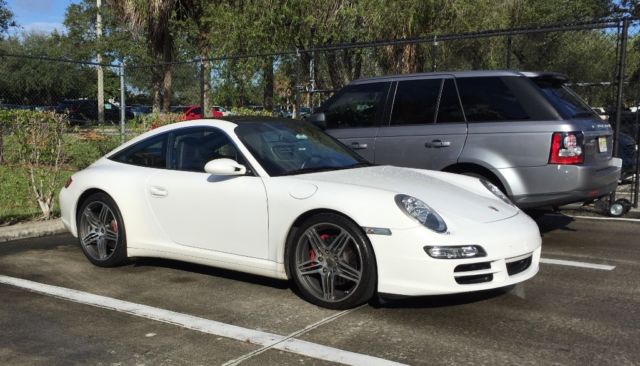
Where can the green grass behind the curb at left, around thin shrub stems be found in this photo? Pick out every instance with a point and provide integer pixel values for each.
(17, 201)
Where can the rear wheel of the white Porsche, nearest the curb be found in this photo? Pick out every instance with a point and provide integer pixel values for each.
(101, 231)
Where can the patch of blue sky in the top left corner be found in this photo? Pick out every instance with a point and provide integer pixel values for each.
(39, 15)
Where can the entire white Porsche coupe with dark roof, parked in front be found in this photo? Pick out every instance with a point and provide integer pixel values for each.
(280, 198)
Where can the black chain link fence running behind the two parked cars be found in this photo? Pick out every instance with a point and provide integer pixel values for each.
(601, 58)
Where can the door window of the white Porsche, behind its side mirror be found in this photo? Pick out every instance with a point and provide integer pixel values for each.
(193, 148)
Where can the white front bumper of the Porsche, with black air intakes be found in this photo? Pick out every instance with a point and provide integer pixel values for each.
(404, 268)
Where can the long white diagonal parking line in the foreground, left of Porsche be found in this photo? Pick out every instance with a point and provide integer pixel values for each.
(264, 339)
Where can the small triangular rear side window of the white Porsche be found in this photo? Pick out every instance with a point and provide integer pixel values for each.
(149, 153)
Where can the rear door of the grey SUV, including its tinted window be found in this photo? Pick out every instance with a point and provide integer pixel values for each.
(426, 128)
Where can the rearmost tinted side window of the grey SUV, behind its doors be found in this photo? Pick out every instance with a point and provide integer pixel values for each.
(489, 99)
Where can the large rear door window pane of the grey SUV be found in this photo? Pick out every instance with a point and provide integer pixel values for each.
(416, 102)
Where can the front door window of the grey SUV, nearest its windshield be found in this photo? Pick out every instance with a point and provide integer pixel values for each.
(356, 106)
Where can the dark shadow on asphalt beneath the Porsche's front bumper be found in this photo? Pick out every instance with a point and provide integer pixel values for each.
(437, 301)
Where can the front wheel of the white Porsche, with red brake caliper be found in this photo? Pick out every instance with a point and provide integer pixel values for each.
(332, 262)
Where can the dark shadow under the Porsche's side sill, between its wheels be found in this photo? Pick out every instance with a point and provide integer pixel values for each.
(211, 271)
